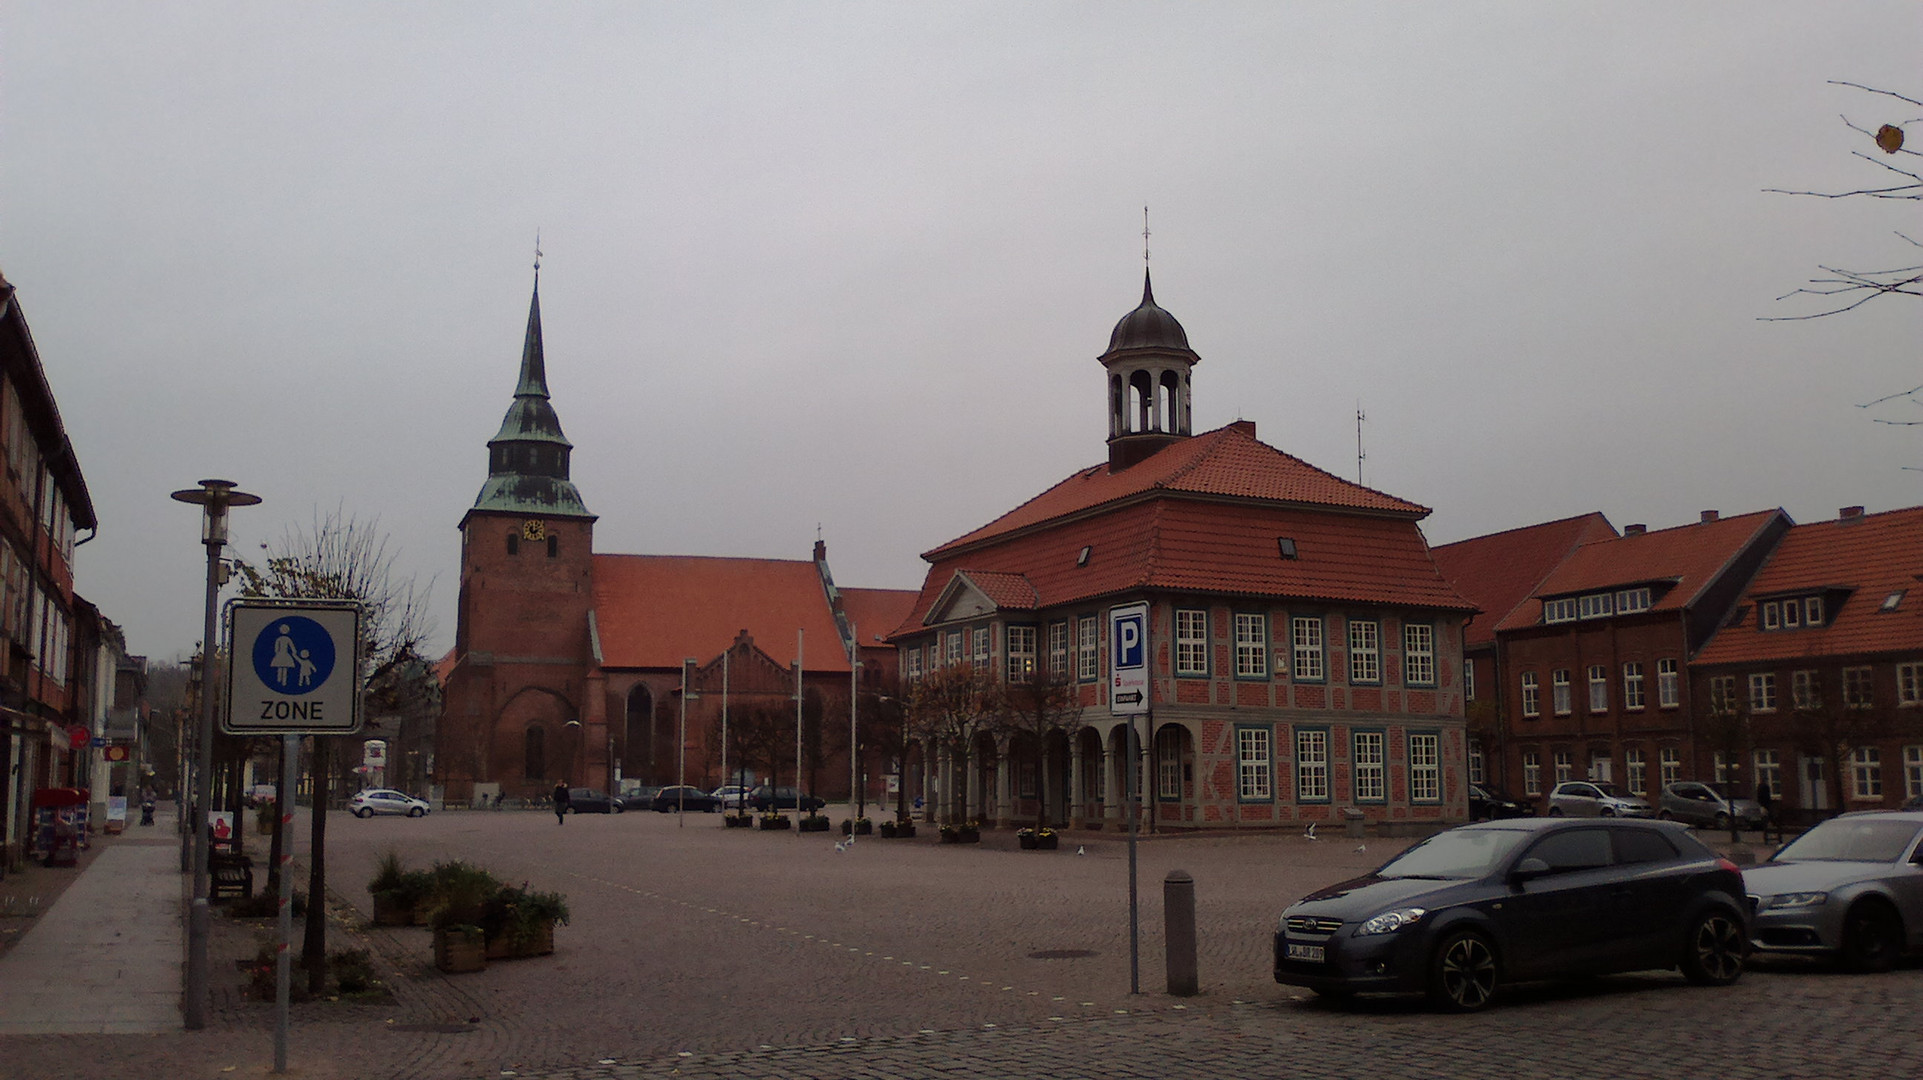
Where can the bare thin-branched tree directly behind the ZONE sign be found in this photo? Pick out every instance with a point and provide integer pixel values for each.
(343, 558)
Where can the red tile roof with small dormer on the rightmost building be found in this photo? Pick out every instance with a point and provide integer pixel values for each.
(1874, 556)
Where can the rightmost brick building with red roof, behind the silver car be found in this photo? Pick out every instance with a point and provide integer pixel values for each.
(1816, 679)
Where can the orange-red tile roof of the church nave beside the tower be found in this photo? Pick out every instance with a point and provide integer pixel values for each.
(659, 610)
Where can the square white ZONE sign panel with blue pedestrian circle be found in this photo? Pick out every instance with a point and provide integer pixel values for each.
(295, 668)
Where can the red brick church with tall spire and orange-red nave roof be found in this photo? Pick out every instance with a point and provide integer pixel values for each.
(570, 664)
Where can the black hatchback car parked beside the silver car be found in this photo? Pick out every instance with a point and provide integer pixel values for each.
(1476, 908)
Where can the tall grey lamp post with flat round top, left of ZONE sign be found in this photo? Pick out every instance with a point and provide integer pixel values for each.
(214, 499)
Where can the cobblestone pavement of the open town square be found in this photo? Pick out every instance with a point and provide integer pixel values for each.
(703, 952)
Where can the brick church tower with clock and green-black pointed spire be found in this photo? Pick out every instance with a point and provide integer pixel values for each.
(518, 710)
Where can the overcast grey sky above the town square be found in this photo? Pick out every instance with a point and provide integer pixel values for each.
(851, 264)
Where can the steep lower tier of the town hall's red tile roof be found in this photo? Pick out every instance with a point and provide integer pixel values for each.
(1211, 549)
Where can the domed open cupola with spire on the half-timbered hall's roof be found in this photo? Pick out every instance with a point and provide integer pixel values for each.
(1149, 362)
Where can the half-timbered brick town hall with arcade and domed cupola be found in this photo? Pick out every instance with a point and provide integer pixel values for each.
(1305, 650)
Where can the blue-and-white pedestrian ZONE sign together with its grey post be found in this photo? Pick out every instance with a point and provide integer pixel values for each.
(295, 672)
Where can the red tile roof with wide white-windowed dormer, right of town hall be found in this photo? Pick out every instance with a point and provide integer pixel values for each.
(1689, 556)
